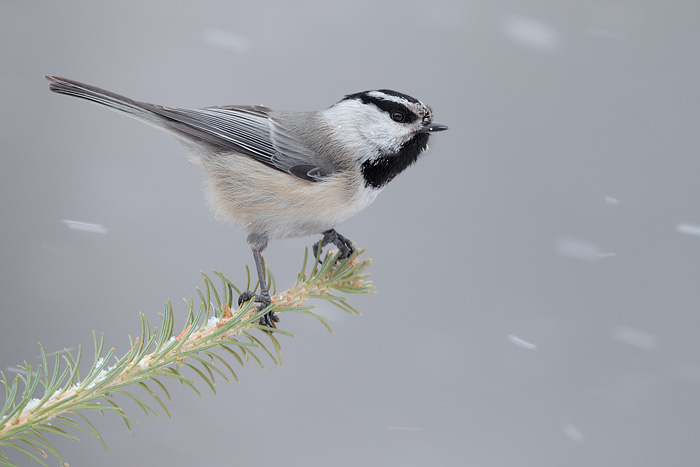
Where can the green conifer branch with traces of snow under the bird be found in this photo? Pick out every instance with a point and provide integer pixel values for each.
(52, 399)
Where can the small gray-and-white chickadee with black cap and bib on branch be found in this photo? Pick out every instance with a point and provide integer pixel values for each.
(279, 174)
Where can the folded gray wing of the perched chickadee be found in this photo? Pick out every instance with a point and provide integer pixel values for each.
(247, 130)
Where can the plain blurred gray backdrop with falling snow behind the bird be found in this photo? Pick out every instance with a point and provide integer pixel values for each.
(538, 271)
